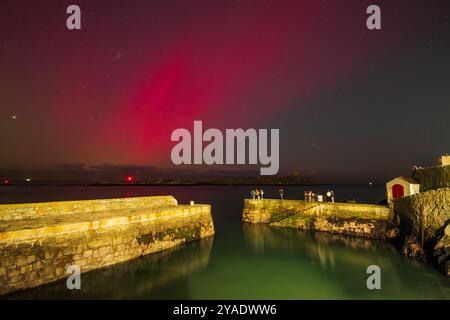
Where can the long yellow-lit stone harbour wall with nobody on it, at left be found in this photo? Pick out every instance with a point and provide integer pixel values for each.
(37, 251)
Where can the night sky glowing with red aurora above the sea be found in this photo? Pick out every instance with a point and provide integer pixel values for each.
(352, 105)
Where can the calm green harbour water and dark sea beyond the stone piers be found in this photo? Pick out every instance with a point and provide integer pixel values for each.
(245, 261)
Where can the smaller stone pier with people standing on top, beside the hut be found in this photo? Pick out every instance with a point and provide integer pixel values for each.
(363, 220)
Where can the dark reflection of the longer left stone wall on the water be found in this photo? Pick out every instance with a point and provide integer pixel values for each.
(144, 277)
